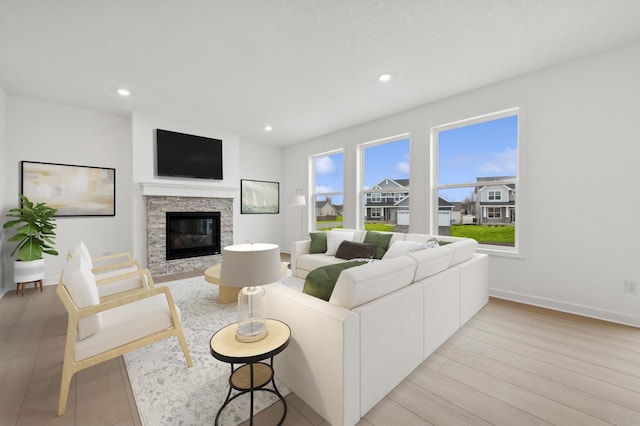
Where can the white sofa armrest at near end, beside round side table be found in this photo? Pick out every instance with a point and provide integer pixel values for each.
(321, 363)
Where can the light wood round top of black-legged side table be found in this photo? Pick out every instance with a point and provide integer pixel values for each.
(225, 347)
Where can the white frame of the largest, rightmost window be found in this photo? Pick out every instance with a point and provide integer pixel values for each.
(506, 251)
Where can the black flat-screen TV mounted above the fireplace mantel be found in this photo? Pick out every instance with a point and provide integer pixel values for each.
(182, 155)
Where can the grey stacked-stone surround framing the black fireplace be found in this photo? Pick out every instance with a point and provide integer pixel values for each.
(157, 206)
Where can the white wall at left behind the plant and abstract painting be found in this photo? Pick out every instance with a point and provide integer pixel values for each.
(54, 133)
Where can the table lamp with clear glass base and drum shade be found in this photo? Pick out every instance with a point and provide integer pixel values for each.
(250, 266)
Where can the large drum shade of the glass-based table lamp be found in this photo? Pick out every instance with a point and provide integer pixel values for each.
(248, 265)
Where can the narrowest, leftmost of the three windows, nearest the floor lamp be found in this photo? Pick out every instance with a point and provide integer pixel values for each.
(328, 174)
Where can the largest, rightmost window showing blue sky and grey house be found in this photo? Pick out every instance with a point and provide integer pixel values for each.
(476, 175)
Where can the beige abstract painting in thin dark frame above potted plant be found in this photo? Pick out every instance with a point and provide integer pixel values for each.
(73, 190)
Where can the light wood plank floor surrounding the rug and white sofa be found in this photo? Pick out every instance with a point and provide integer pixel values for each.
(510, 365)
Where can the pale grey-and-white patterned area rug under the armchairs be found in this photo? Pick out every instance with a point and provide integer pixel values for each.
(169, 393)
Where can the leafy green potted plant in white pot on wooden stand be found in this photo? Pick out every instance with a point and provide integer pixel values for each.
(35, 235)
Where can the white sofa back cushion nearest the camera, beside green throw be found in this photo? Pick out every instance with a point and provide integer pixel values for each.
(356, 286)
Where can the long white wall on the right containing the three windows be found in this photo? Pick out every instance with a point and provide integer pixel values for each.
(579, 137)
